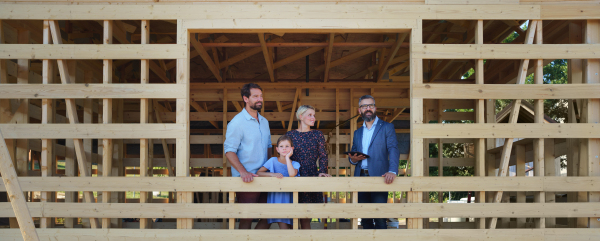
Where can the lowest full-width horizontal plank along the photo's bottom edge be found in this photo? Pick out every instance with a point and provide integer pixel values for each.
(317, 235)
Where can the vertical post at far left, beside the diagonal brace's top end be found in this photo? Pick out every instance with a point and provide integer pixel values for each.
(47, 163)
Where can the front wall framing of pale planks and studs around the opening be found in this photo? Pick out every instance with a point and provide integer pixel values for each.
(260, 18)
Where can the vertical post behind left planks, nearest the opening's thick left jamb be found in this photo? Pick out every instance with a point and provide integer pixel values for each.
(144, 79)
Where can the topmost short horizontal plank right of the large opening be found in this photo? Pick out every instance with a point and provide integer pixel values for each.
(507, 51)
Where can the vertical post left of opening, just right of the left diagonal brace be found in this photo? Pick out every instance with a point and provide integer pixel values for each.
(107, 116)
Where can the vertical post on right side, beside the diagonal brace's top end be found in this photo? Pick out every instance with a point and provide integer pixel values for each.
(538, 144)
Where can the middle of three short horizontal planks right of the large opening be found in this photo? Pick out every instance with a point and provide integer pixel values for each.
(487, 91)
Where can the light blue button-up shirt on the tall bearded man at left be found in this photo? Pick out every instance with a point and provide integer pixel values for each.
(249, 139)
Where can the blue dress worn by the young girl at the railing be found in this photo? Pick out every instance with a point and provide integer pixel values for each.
(275, 166)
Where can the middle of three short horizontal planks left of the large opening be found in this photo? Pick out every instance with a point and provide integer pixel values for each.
(91, 91)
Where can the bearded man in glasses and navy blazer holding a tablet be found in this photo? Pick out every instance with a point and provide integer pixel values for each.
(377, 139)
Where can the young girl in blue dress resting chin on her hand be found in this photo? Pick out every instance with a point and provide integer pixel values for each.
(281, 167)
